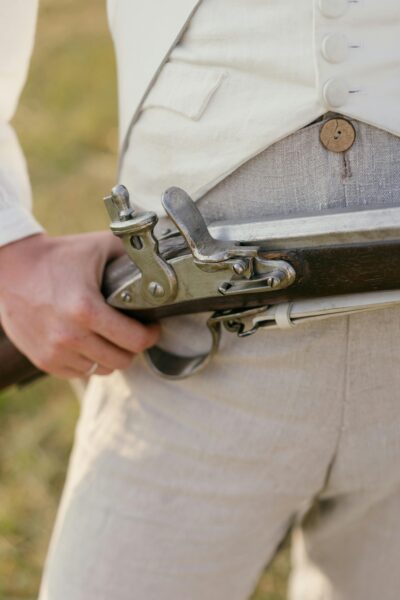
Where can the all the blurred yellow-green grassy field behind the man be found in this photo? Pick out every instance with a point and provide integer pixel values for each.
(67, 125)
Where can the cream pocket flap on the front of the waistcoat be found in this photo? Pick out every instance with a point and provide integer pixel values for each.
(185, 89)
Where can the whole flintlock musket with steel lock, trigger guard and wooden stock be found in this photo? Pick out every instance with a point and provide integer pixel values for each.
(258, 274)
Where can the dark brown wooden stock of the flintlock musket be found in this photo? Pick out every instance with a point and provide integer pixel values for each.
(336, 270)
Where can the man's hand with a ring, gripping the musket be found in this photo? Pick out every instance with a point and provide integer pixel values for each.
(52, 310)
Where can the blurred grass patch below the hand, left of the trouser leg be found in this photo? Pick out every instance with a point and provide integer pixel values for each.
(36, 427)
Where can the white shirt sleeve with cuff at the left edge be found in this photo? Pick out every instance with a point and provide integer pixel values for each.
(17, 24)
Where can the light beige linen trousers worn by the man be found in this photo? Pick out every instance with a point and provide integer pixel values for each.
(183, 490)
